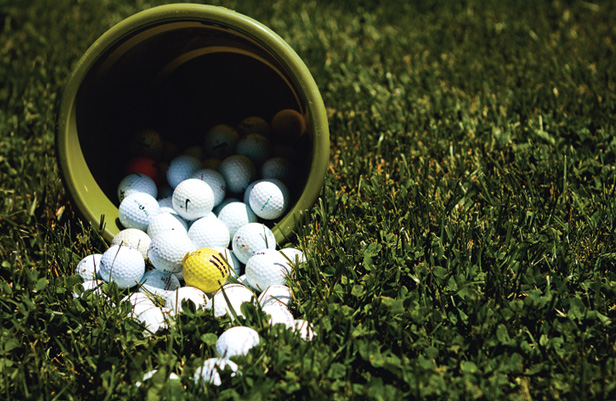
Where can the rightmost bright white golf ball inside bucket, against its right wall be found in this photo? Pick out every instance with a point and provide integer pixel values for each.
(269, 198)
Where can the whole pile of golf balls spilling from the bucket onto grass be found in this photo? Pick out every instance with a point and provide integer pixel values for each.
(198, 231)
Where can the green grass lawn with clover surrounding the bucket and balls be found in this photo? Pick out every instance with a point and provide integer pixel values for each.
(462, 246)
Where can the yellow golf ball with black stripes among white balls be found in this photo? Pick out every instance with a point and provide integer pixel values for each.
(205, 269)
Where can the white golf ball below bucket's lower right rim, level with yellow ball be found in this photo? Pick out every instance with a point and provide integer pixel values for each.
(266, 268)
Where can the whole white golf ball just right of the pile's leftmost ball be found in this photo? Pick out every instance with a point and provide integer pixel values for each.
(122, 265)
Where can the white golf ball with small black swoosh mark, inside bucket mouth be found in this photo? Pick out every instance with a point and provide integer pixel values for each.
(193, 198)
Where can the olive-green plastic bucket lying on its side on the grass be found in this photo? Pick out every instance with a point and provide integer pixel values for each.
(179, 69)
